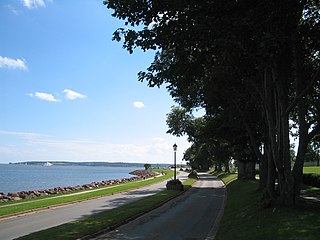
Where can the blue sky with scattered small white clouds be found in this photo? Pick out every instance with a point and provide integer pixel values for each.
(68, 92)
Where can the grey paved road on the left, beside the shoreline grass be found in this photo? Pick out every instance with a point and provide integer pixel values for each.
(14, 227)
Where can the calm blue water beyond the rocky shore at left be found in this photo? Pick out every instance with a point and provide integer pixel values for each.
(15, 178)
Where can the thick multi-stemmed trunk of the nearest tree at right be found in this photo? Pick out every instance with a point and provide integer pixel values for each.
(277, 119)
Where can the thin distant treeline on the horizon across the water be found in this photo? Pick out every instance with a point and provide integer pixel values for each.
(100, 164)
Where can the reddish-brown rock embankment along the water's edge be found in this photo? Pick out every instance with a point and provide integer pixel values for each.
(15, 196)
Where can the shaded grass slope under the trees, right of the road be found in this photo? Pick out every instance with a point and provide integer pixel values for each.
(245, 219)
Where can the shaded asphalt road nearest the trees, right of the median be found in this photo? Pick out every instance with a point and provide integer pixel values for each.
(194, 215)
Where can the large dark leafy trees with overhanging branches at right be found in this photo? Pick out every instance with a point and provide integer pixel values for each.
(252, 65)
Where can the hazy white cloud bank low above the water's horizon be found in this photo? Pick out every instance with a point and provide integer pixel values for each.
(35, 146)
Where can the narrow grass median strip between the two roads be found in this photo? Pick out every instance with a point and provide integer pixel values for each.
(108, 219)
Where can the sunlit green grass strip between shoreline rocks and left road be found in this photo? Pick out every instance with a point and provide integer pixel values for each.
(10, 208)
